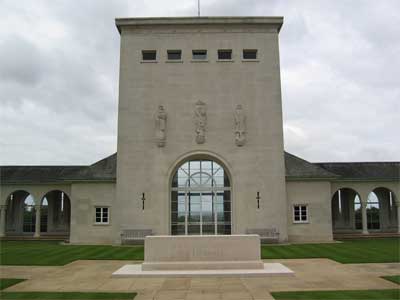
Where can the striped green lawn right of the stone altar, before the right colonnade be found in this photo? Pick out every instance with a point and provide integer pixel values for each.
(354, 251)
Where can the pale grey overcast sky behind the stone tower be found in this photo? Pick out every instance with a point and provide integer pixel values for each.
(59, 60)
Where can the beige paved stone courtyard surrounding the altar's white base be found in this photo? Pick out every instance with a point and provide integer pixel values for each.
(95, 275)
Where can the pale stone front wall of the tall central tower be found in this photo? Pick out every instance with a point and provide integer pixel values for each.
(220, 86)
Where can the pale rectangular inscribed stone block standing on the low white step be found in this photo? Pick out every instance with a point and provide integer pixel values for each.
(194, 252)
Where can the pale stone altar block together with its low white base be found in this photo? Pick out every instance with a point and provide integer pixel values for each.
(202, 255)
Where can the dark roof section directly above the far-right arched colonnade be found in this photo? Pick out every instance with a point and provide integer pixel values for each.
(364, 170)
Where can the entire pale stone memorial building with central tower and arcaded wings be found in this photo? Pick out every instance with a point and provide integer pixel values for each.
(200, 152)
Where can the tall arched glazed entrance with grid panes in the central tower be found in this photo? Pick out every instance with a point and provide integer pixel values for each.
(200, 199)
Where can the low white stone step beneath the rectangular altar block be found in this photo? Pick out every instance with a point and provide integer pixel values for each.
(269, 269)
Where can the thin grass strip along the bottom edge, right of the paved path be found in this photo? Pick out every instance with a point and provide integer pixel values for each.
(344, 295)
